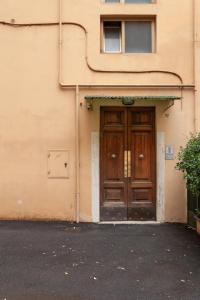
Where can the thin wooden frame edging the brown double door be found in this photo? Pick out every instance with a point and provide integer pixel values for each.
(137, 108)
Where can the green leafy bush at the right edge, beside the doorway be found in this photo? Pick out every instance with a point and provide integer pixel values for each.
(189, 164)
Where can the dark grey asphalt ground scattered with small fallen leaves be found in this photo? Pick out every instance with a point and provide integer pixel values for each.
(66, 261)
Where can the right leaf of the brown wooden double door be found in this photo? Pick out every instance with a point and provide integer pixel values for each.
(141, 143)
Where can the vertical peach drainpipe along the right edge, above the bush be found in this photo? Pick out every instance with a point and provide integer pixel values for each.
(196, 17)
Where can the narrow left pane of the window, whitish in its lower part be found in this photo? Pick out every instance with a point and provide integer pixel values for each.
(112, 32)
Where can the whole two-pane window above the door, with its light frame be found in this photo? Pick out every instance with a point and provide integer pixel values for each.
(129, 36)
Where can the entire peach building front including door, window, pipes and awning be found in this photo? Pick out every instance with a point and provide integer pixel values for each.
(96, 99)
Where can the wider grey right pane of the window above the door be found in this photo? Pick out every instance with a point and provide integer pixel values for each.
(138, 37)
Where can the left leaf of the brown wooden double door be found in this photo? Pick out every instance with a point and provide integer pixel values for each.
(113, 183)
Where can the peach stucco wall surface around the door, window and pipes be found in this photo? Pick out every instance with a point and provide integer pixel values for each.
(37, 115)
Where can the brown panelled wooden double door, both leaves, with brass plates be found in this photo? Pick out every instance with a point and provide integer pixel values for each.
(127, 164)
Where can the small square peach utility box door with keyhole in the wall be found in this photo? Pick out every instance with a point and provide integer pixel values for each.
(58, 164)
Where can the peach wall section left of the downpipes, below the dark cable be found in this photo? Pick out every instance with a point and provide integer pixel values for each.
(35, 116)
